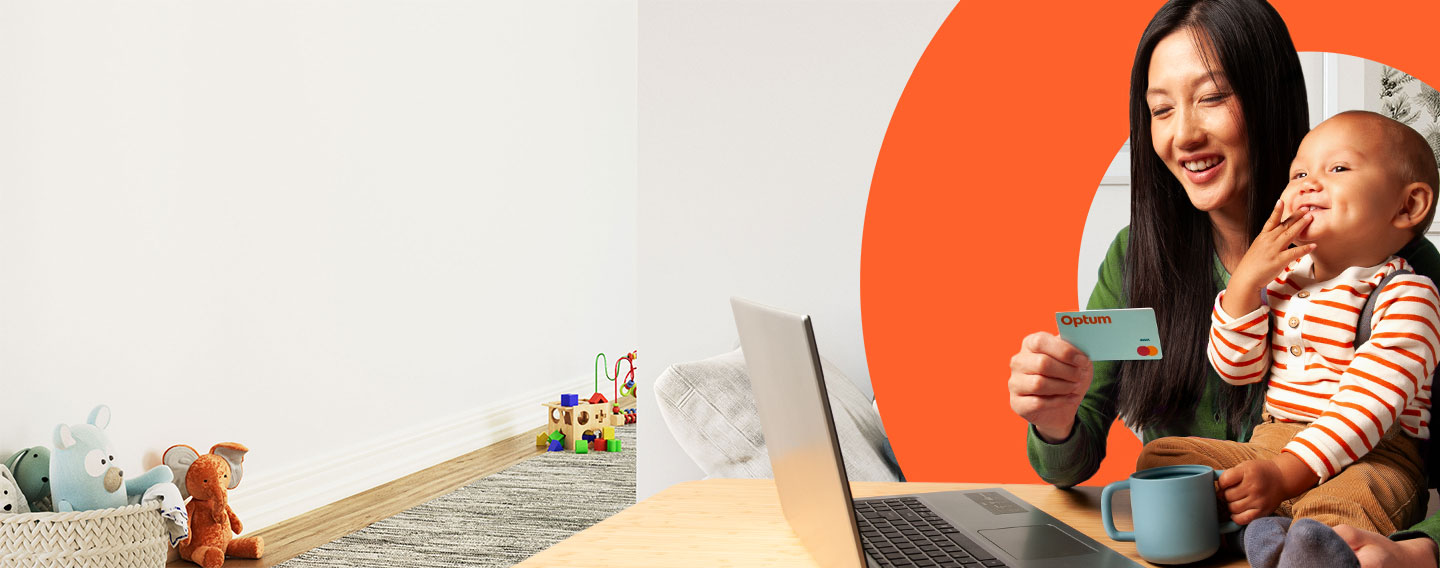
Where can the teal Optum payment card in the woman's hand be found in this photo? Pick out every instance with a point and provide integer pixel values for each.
(1112, 335)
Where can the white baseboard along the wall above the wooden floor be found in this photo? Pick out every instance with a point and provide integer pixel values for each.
(274, 497)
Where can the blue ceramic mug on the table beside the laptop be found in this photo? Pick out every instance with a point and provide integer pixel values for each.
(1173, 511)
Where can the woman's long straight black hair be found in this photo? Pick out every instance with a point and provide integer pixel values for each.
(1171, 259)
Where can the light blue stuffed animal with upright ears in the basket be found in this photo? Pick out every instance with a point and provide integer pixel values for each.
(83, 469)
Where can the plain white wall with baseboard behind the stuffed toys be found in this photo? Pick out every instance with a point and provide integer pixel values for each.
(361, 237)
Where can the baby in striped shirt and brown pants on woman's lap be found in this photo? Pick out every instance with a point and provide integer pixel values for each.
(1340, 442)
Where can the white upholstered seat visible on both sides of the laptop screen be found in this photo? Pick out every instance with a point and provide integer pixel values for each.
(711, 410)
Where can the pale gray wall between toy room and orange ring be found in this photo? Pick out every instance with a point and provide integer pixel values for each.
(760, 132)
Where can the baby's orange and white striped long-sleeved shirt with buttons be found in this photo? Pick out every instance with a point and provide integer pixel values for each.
(1351, 397)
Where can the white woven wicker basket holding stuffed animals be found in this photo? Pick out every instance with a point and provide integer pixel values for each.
(130, 537)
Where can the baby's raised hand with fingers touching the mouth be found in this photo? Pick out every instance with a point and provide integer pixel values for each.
(1266, 257)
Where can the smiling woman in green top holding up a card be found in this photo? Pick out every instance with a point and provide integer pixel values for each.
(1218, 112)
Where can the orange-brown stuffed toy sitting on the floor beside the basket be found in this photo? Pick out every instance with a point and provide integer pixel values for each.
(214, 525)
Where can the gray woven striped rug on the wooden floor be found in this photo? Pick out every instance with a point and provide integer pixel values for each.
(498, 521)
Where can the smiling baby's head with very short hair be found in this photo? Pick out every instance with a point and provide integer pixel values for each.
(1347, 181)
